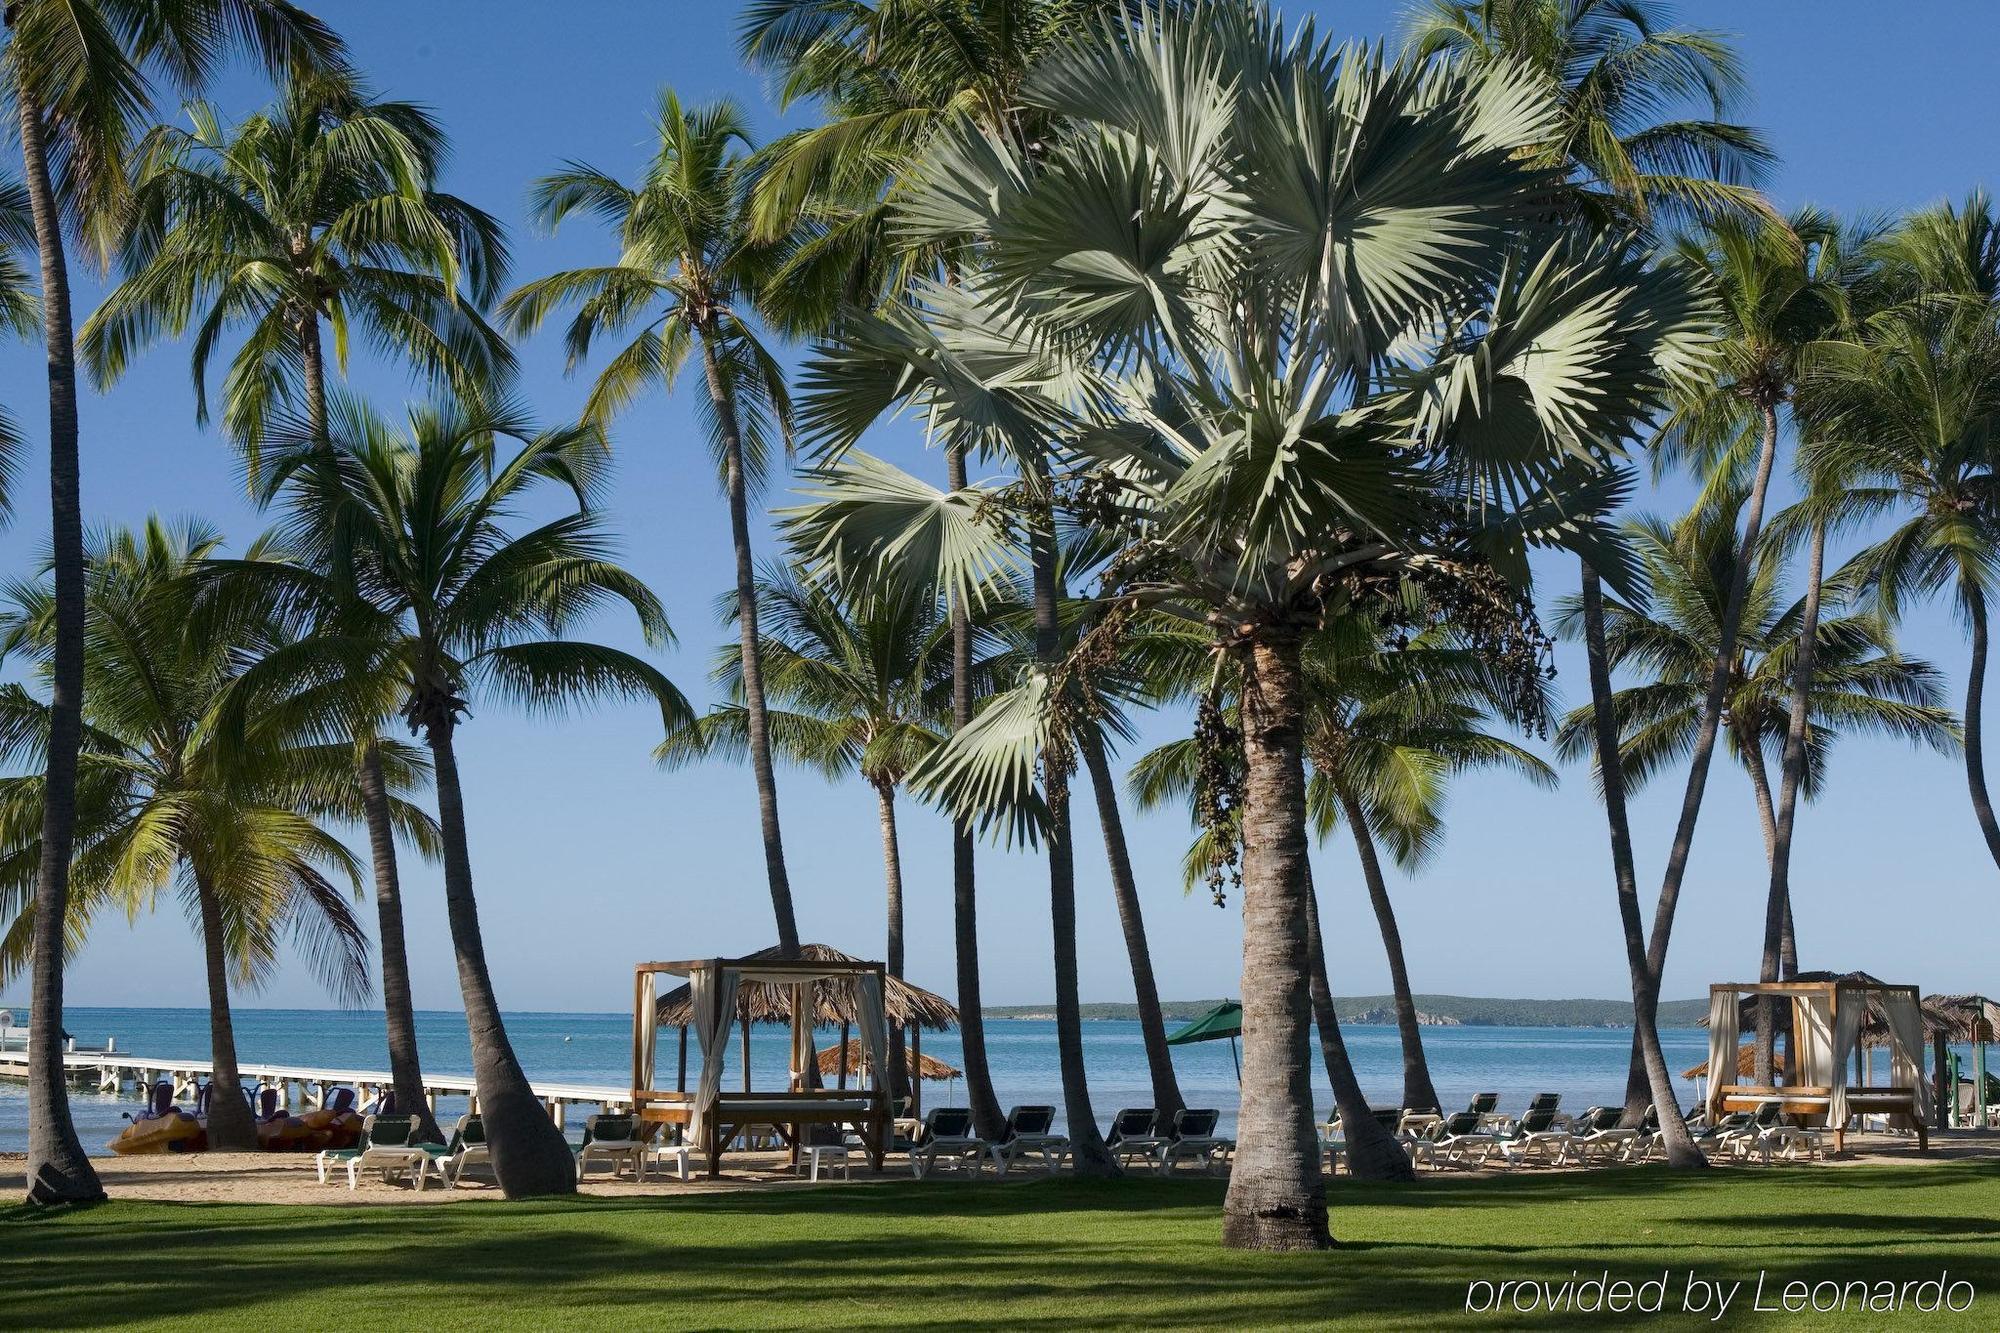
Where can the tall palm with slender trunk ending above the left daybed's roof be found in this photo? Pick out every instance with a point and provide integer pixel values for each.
(689, 275)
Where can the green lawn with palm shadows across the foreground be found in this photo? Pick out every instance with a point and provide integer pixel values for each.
(1055, 1254)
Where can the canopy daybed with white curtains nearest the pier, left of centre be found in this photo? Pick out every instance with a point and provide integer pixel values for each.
(711, 1116)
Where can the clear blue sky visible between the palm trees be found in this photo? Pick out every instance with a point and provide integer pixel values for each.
(587, 858)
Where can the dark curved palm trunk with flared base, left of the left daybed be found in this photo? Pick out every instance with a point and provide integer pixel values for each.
(531, 1156)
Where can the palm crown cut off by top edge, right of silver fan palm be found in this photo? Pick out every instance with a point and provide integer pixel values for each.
(1643, 103)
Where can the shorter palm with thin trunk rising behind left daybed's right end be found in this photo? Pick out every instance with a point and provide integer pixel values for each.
(857, 690)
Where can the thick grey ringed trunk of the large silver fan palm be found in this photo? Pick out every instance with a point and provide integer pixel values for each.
(1277, 1196)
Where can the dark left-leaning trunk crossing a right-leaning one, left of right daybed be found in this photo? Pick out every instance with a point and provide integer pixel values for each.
(1681, 1150)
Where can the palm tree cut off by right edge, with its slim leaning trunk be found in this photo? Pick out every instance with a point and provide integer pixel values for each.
(1911, 425)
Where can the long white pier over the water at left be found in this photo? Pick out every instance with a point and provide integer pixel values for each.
(301, 1090)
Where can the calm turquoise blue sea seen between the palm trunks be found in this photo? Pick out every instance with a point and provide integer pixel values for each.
(1587, 1066)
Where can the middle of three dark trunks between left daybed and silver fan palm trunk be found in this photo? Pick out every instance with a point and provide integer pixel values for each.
(1087, 1144)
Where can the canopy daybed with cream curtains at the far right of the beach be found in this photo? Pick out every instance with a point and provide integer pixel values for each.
(1827, 1022)
